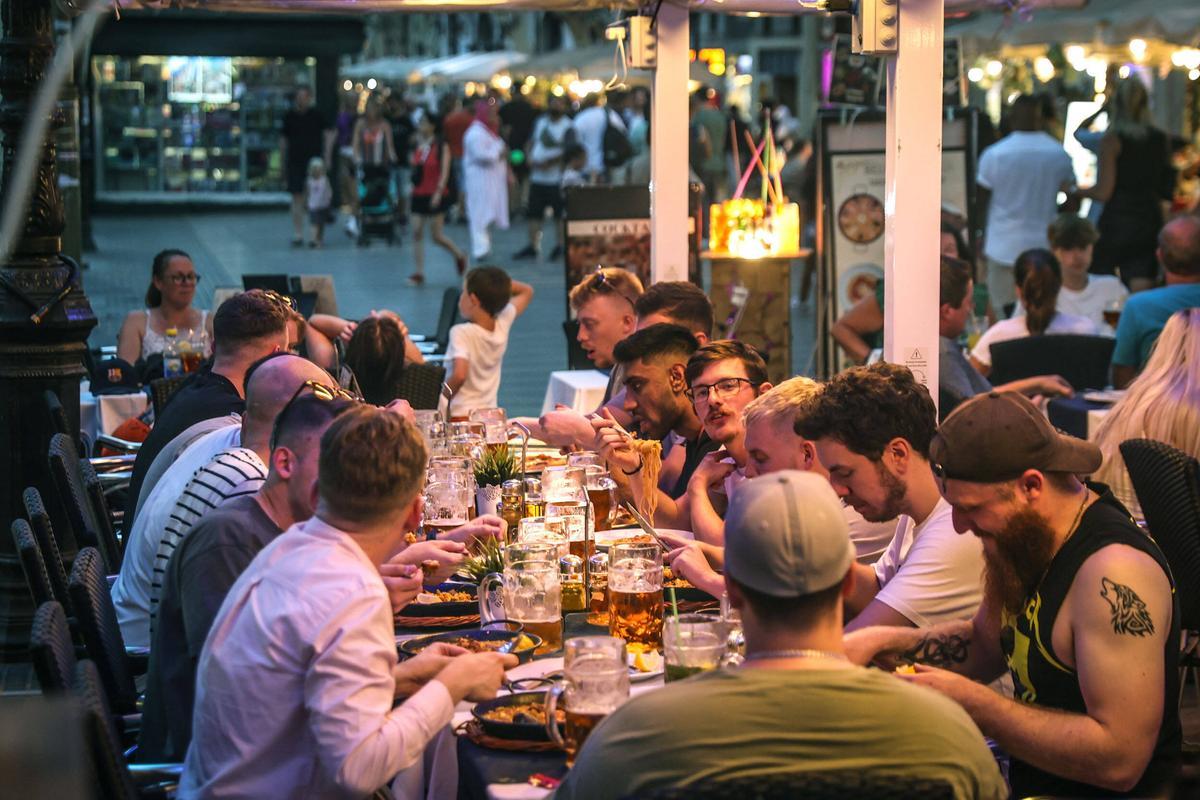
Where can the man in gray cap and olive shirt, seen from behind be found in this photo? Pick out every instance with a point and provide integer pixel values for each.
(796, 705)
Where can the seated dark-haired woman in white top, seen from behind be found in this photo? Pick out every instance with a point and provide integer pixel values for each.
(1039, 281)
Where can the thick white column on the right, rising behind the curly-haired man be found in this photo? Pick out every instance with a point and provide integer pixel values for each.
(911, 264)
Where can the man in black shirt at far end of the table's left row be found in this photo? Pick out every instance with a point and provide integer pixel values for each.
(245, 329)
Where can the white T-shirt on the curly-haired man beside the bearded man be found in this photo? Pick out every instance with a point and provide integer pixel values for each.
(931, 573)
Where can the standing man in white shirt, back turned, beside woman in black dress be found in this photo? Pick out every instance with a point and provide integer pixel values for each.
(1018, 184)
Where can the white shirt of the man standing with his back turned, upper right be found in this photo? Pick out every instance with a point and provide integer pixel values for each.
(1024, 172)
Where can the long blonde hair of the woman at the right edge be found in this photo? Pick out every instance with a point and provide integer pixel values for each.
(1162, 404)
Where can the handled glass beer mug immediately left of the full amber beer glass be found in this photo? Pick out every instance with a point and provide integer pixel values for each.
(529, 592)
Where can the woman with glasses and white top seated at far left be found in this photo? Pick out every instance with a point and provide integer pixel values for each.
(170, 297)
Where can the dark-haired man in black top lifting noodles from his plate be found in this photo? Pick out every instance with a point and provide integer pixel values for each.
(655, 360)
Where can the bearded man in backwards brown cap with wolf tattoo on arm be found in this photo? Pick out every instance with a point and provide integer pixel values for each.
(1079, 605)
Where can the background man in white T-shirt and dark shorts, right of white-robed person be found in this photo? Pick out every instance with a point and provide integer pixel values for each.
(553, 135)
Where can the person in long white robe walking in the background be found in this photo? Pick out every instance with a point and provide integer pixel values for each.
(487, 178)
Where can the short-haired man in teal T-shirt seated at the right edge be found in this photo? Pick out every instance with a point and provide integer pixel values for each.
(1147, 312)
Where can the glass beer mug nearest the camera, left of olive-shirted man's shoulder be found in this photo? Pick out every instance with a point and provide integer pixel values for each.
(596, 683)
